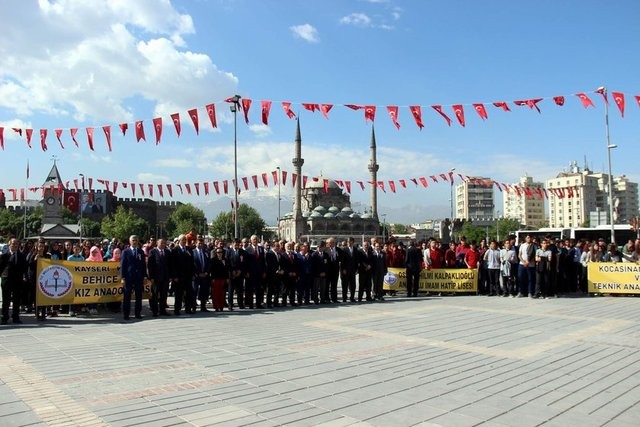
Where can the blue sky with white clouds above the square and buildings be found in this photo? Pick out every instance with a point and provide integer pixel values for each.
(76, 64)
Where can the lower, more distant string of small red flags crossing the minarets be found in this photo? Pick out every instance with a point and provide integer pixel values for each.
(263, 180)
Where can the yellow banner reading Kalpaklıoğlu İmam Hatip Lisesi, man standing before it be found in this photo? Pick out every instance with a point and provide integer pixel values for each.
(438, 280)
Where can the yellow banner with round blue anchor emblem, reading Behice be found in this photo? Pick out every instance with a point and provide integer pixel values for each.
(79, 282)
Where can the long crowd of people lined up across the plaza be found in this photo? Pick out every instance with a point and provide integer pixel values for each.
(249, 273)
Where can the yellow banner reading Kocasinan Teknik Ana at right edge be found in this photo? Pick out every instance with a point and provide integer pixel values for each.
(613, 278)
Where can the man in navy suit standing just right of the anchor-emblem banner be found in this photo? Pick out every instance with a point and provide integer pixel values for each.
(133, 270)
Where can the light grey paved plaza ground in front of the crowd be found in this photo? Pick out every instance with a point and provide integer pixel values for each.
(450, 361)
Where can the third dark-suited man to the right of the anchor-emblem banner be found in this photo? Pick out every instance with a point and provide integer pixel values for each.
(182, 279)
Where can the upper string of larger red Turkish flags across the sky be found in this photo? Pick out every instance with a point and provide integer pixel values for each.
(245, 104)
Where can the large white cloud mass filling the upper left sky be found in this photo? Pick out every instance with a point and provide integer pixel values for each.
(98, 55)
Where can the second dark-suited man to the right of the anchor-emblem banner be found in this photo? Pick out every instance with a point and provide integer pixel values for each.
(159, 264)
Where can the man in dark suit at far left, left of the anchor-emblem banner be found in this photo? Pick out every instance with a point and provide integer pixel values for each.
(13, 266)
